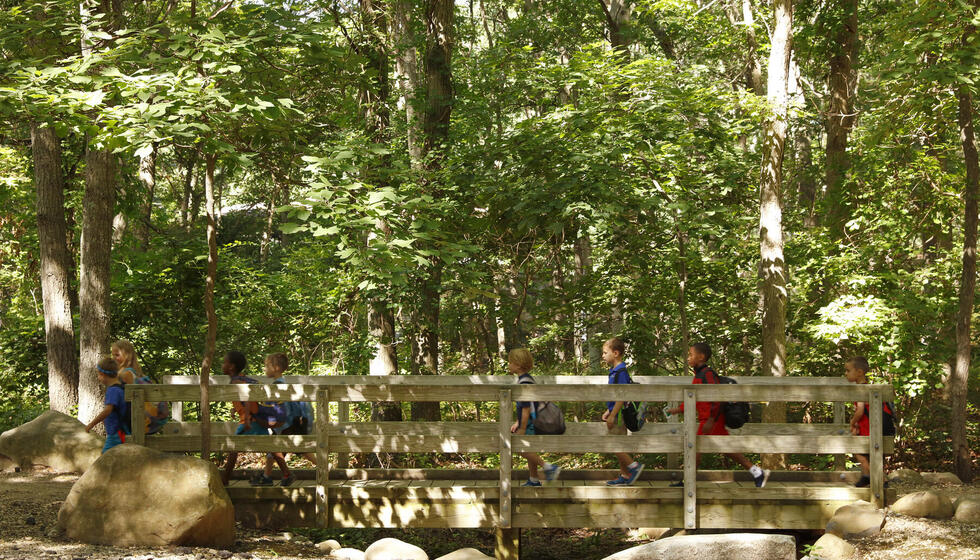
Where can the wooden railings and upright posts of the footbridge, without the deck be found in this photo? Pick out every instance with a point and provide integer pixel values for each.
(341, 436)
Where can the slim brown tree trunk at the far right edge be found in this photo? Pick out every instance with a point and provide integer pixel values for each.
(959, 380)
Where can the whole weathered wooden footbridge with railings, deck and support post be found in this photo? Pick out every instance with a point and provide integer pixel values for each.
(438, 498)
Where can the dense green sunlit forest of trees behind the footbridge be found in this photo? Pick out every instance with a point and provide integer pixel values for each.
(418, 186)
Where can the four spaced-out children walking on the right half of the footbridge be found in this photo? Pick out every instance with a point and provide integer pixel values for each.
(711, 417)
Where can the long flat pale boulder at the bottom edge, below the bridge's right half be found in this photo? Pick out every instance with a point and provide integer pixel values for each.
(732, 546)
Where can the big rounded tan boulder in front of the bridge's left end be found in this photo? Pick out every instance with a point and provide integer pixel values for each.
(137, 496)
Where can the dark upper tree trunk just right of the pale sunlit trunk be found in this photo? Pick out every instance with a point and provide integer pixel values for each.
(842, 83)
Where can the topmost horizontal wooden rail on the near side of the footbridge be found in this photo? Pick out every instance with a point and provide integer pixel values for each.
(570, 393)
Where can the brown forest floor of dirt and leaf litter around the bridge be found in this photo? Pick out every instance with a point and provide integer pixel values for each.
(29, 504)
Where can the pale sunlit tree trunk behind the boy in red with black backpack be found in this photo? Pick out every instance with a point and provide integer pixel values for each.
(772, 266)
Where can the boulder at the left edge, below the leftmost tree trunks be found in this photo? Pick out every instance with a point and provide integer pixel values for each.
(53, 440)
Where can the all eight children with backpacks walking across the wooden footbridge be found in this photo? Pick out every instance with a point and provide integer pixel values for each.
(296, 418)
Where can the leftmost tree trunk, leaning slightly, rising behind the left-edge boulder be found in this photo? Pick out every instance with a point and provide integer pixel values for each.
(59, 330)
